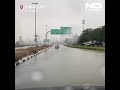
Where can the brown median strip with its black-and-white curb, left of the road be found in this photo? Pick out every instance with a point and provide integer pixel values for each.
(21, 55)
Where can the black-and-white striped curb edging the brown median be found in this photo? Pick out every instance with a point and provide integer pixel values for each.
(29, 57)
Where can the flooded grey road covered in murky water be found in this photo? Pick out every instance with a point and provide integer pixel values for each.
(62, 67)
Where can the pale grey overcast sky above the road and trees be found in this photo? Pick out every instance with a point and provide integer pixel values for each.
(56, 13)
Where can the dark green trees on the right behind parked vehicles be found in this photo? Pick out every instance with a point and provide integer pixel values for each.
(90, 34)
